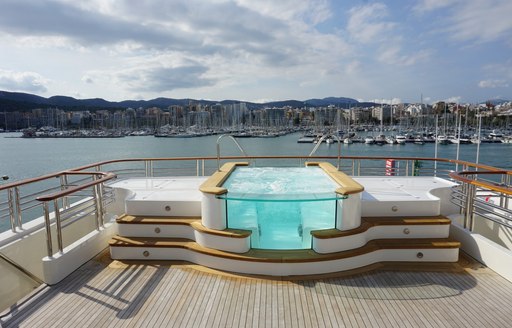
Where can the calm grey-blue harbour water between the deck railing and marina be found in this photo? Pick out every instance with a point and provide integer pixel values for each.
(26, 158)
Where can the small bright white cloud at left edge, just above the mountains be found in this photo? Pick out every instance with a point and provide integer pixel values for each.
(22, 81)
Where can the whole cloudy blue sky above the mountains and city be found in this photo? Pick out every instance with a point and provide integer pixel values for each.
(258, 51)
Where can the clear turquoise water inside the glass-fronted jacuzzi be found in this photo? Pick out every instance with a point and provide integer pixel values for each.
(280, 205)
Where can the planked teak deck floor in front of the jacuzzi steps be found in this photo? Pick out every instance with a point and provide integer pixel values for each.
(105, 293)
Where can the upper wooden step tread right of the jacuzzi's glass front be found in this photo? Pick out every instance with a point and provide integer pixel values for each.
(369, 222)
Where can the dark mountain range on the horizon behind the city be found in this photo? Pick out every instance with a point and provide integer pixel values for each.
(18, 101)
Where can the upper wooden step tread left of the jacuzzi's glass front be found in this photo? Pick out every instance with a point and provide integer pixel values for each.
(193, 222)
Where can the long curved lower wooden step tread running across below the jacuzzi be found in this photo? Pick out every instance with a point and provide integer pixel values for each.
(284, 256)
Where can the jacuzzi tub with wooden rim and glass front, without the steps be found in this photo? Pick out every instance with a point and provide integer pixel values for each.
(281, 206)
